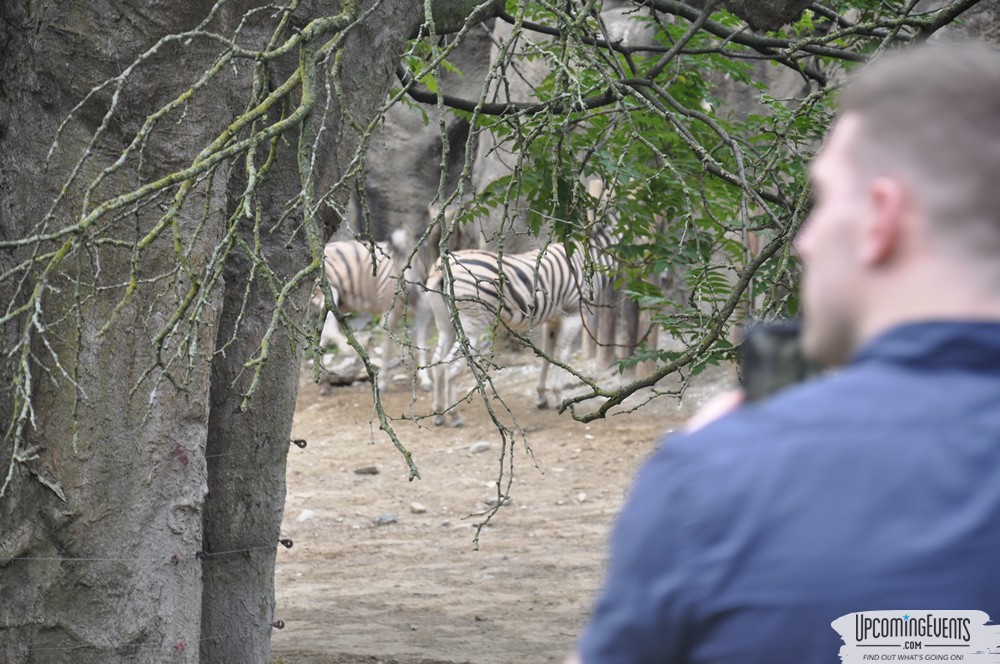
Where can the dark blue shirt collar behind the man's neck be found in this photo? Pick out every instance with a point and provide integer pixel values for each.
(937, 344)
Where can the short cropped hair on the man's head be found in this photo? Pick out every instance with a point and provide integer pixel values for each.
(931, 115)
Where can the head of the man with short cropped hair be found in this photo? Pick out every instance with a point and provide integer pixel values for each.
(906, 222)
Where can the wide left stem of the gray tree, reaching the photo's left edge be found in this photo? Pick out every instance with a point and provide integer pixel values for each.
(98, 533)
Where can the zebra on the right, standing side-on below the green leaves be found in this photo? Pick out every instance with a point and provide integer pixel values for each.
(542, 287)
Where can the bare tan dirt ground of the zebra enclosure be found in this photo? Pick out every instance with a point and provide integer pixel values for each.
(385, 570)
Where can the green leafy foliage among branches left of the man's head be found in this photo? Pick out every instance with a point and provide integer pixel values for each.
(702, 158)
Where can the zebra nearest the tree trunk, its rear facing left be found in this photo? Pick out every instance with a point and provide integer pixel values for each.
(377, 279)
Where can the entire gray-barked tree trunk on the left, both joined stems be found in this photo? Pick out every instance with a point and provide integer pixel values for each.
(137, 489)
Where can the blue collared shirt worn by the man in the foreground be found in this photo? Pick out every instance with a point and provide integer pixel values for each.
(877, 488)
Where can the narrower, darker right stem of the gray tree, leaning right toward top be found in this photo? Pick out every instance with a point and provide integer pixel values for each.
(247, 450)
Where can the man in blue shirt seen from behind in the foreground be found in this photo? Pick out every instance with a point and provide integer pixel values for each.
(877, 488)
